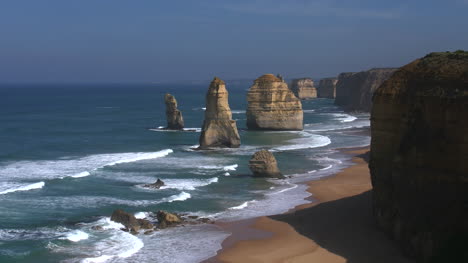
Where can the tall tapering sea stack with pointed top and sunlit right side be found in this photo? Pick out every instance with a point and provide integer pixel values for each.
(219, 130)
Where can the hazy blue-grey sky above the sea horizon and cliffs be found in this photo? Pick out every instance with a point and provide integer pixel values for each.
(152, 41)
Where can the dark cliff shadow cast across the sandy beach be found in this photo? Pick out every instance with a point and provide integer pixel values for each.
(346, 228)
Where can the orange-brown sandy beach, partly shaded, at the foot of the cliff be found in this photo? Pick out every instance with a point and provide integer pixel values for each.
(337, 227)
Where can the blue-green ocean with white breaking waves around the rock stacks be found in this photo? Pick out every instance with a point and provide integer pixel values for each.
(71, 154)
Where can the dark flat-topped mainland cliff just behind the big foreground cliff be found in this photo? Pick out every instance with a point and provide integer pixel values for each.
(354, 90)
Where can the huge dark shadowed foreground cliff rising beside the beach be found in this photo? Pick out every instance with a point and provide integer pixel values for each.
(419, 157)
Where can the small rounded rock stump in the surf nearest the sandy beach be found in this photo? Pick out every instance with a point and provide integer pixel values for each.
(263, 164)
